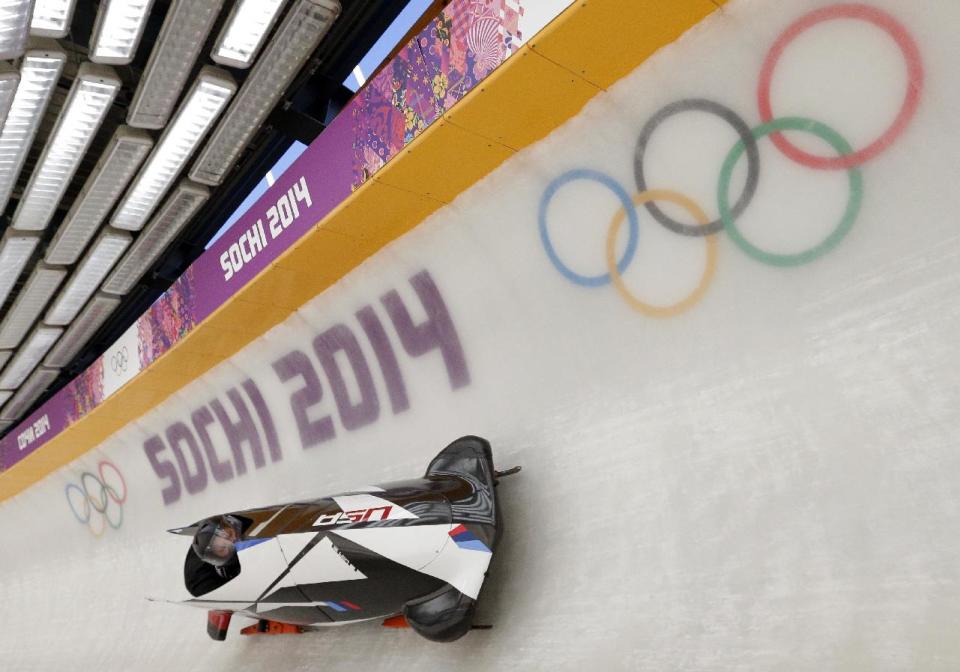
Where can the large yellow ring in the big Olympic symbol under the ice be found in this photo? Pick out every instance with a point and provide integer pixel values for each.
(711, 265)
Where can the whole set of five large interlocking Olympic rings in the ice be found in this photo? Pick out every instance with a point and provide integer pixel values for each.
(846, 158)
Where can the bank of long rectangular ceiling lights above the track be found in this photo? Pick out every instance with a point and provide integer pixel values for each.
(133, 166)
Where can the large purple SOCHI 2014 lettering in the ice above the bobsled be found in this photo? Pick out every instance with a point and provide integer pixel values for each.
(184, 455)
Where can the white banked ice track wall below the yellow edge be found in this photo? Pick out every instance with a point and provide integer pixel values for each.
(736, 412)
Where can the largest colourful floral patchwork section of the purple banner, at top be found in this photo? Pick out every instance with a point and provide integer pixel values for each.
(449, 57)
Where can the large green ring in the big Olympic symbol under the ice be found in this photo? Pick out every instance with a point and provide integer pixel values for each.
(846, 222)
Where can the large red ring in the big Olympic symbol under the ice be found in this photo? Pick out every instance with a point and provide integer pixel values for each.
(911, 100)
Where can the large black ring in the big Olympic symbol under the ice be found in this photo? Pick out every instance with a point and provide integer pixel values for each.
(746, 139)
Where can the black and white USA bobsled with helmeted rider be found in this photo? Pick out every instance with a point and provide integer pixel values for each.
(414, 551)
